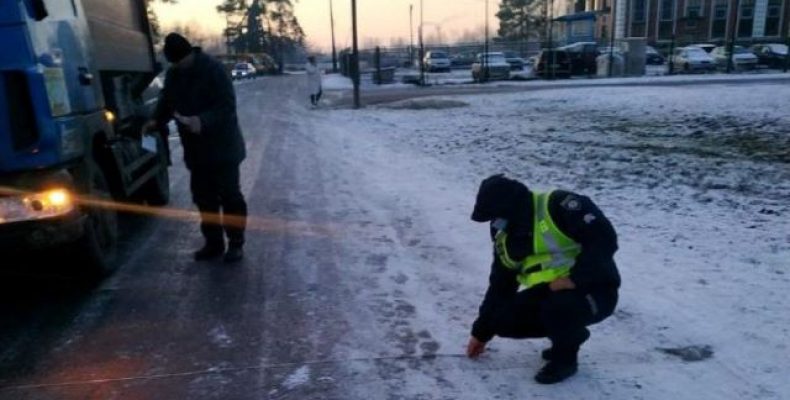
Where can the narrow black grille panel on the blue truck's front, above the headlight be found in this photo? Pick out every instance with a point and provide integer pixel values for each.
(21, 118)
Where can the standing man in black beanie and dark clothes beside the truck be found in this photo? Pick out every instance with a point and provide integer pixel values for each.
(199, 95)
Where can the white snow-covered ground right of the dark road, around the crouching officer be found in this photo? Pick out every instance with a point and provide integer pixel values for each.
(696, 181)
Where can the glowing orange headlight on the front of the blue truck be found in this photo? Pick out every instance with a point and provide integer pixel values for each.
(35, 206)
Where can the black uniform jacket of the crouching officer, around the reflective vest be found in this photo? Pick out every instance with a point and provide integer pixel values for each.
(580, 219)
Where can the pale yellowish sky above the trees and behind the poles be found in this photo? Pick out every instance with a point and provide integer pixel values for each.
(378, 19)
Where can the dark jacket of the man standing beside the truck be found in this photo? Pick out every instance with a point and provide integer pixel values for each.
(204, 90)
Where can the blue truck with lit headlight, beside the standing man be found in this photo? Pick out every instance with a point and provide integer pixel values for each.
(75, 89)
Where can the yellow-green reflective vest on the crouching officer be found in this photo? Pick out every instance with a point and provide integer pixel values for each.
(554, 253)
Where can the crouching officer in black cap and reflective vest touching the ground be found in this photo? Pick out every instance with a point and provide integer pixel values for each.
(559, 248)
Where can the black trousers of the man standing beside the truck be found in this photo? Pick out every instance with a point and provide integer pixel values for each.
(216, 190)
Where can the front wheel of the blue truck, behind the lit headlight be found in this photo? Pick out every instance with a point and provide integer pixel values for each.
(97, 248)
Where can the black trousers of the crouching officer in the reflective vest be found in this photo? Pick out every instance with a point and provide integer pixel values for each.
(561, 316)
